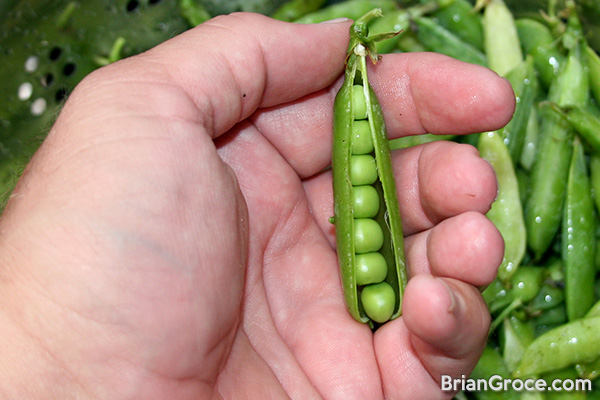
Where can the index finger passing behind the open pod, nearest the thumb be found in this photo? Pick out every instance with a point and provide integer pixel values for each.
(418, 92)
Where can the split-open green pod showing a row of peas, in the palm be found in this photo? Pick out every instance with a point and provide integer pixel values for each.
(376, 302)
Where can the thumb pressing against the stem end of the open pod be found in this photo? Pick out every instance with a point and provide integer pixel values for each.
(233, 64)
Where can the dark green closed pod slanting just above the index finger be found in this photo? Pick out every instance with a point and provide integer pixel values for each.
(440, 40)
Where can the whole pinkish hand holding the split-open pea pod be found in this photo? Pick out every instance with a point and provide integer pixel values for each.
(170, 239)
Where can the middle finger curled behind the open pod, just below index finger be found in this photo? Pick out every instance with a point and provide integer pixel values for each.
(435, 181)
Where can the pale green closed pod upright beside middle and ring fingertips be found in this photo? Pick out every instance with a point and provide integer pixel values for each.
(506, 212)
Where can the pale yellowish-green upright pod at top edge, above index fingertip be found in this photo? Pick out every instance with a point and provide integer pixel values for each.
(502, 45)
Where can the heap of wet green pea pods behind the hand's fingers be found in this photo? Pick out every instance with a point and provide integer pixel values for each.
(544, 302)
